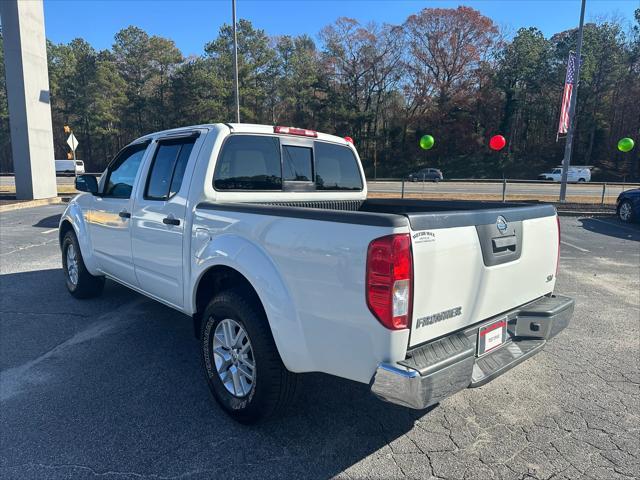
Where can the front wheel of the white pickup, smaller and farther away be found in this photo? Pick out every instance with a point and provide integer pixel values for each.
(80, 283)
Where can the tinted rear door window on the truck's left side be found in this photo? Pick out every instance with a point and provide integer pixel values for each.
(167, 168)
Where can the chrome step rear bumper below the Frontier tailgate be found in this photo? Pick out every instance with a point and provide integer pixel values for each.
(440, 368)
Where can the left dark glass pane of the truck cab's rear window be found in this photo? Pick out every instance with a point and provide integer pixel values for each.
(249, 162)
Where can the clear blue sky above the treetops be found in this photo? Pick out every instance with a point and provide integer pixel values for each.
(191, 23)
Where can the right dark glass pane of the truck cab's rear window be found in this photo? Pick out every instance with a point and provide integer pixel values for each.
(336, 168)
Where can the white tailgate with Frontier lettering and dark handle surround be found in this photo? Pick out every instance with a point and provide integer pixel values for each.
(471, 266)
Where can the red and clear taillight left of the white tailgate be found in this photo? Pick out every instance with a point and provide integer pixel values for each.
(390, 280)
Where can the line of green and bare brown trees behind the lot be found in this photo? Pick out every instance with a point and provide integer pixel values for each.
(450, 73)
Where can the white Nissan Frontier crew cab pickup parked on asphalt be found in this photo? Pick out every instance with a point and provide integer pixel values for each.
(265, 236)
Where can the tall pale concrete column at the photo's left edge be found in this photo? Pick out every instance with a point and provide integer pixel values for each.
(25, 57)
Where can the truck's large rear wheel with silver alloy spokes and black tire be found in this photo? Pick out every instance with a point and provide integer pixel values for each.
(268, 387)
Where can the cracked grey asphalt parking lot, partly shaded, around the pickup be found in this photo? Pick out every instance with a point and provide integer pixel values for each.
(113, 388)
